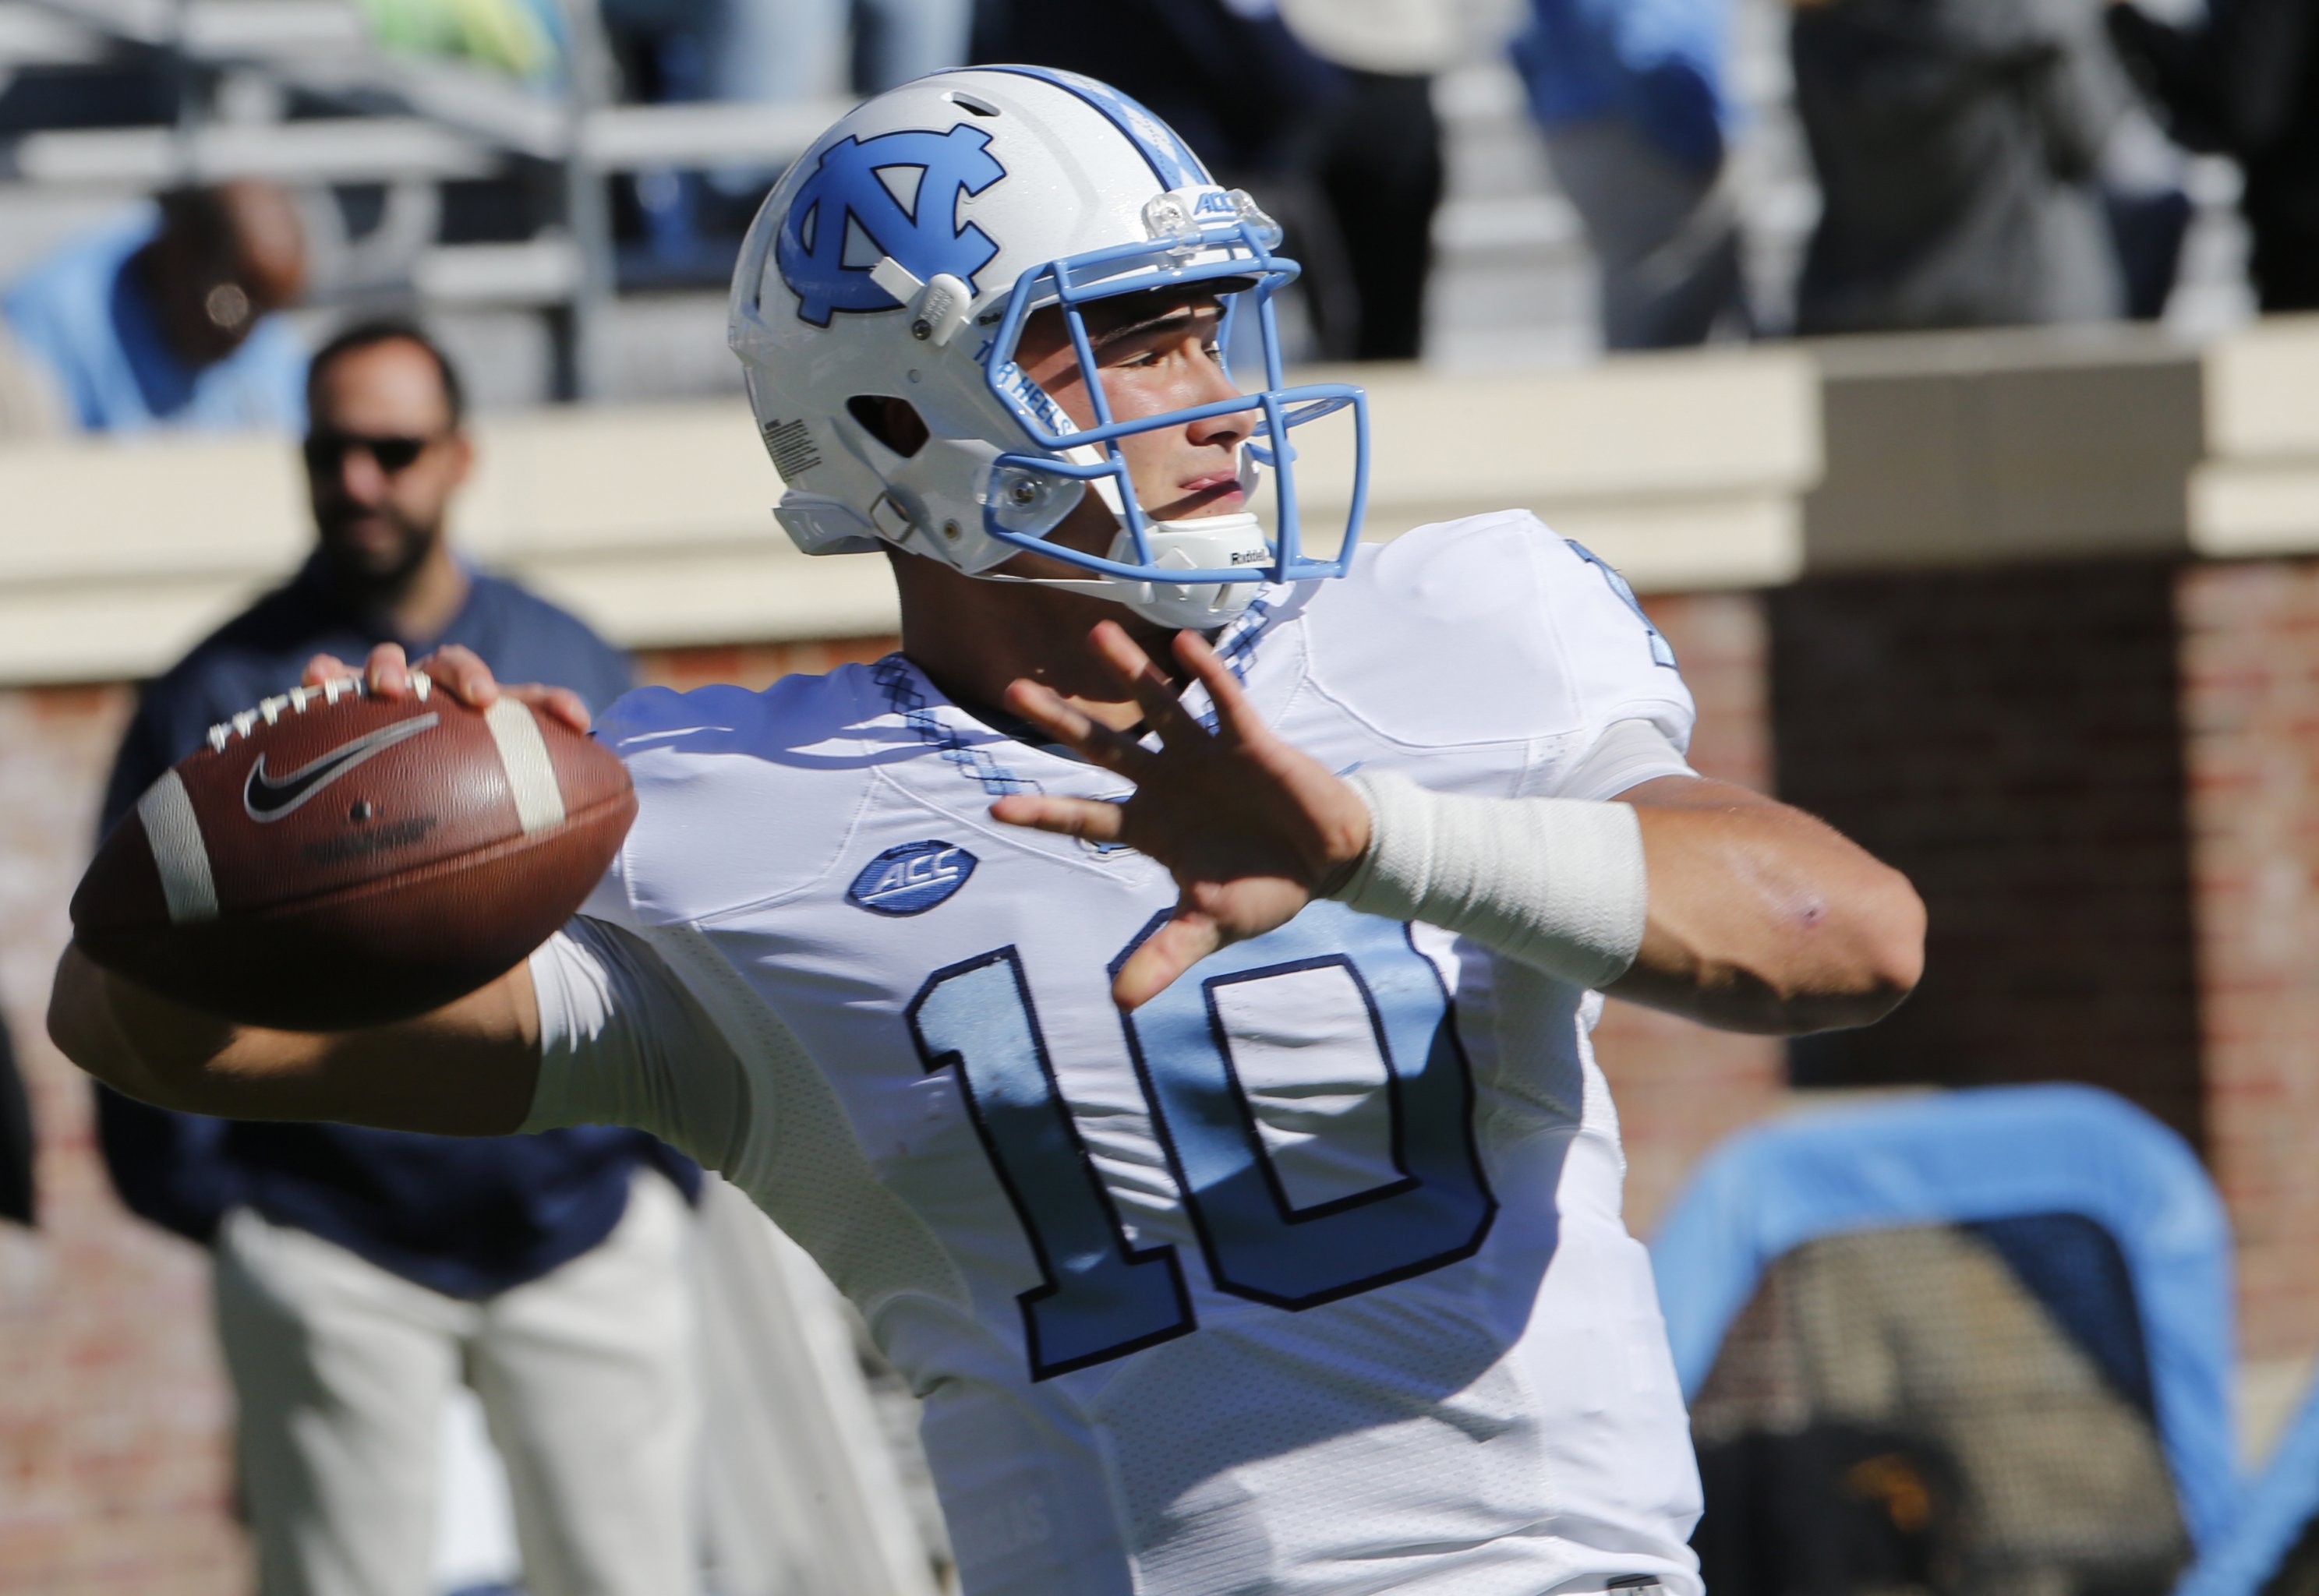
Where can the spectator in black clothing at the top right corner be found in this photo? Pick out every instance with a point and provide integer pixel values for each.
(2246, 85)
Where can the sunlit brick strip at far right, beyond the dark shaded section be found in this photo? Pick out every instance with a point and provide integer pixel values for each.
(2251, 674)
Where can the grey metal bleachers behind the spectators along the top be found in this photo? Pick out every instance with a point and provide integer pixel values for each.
(479, 201)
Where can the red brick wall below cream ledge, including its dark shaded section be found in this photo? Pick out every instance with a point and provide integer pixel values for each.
(2102, 781)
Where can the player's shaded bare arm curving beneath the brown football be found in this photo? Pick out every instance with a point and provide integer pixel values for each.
(460, 1071)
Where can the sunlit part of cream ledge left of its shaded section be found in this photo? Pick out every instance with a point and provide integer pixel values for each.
(655, 523)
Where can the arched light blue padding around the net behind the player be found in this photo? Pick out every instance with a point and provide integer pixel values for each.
(1979, 1156)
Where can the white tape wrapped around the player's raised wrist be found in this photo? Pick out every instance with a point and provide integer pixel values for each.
(1550, 883)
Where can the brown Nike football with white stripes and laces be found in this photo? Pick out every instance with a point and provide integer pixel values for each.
(333, 859)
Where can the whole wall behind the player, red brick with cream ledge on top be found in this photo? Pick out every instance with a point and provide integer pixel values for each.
(2035, 616)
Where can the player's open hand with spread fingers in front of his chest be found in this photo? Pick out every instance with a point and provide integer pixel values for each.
(1251, 827)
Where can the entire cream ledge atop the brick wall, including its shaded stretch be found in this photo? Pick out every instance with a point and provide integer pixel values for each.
(1689, 472)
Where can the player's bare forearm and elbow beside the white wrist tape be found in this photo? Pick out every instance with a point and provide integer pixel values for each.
(1766, 920)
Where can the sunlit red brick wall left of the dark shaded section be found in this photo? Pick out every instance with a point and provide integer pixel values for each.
(112, 1409)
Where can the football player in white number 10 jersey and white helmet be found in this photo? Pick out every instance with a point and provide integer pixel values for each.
(1161, 992)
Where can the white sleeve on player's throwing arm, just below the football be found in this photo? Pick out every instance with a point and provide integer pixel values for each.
(625, 1045)
